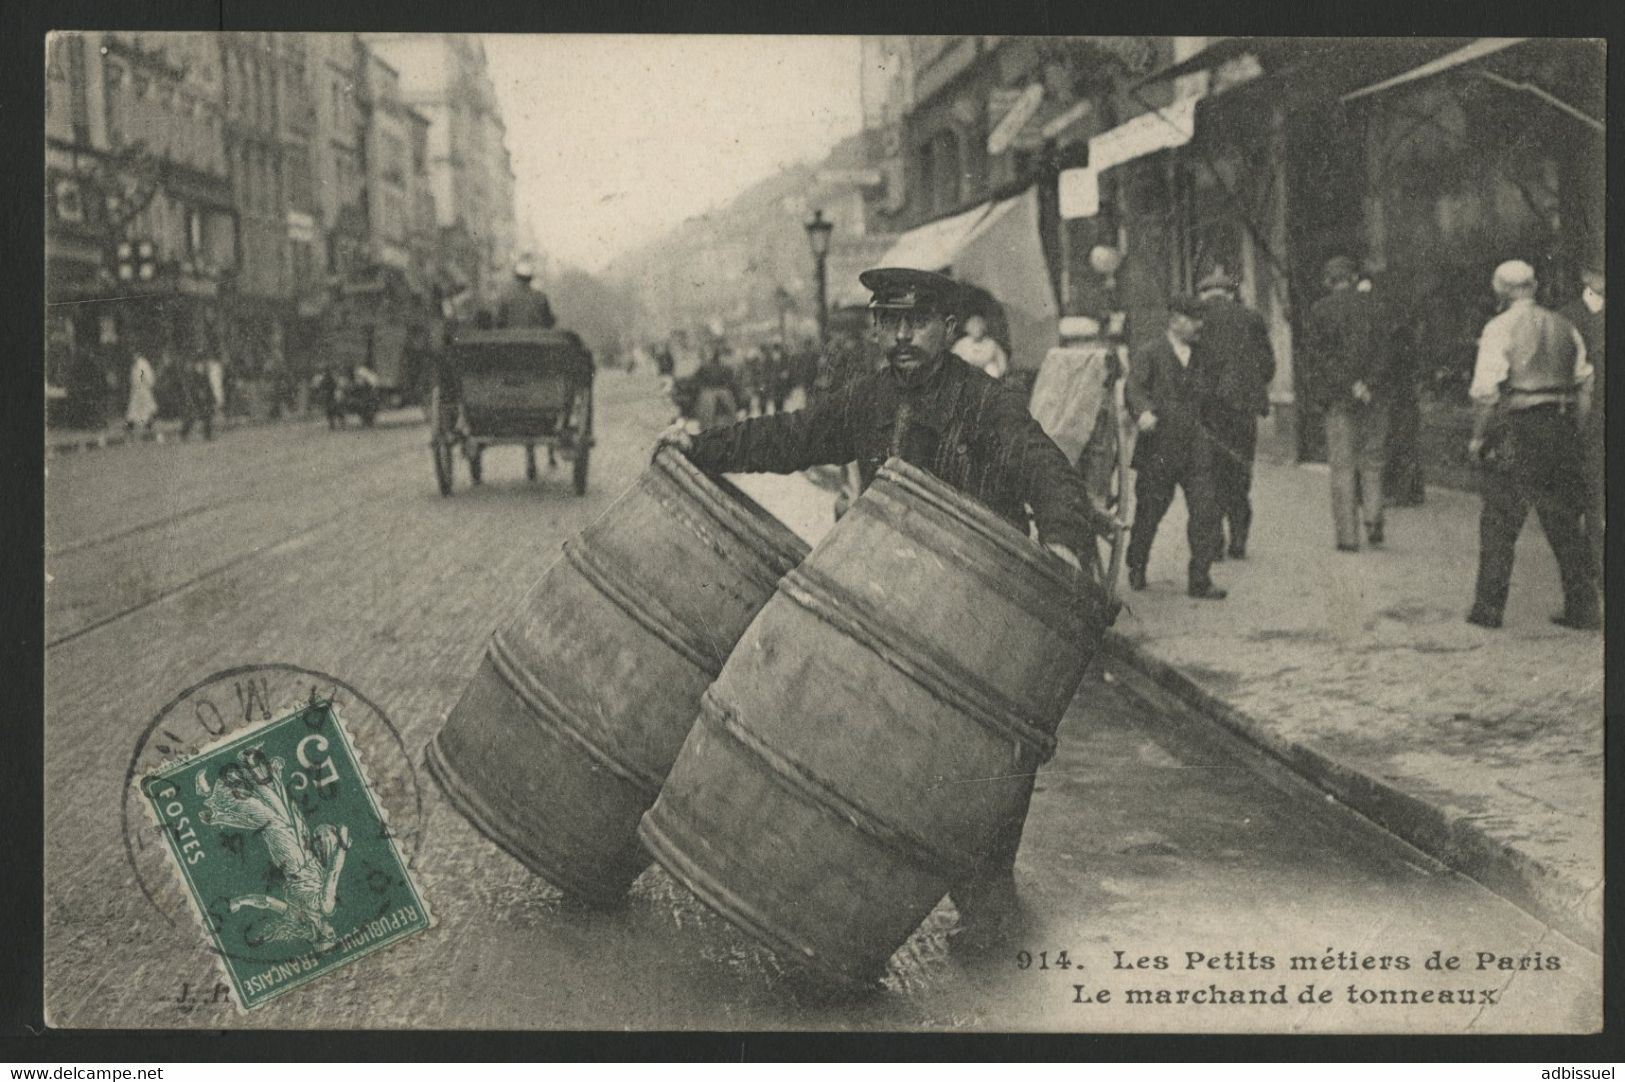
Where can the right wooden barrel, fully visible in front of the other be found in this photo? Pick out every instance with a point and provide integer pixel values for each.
(877, 725)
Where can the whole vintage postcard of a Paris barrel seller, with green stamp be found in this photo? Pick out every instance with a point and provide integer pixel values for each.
(875, 534)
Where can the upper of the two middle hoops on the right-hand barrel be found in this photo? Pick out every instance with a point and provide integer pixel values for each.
(947, 683)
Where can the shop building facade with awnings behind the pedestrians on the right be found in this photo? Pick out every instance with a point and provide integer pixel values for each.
(1429, 160)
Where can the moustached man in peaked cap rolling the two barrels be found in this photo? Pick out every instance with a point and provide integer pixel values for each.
(943, 415)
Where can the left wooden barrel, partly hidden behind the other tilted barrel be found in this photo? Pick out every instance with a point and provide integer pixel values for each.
(583, 701)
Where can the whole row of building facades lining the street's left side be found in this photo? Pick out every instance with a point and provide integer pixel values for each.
(243, 196)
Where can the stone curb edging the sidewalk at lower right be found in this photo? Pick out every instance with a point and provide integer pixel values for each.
(1457, 842)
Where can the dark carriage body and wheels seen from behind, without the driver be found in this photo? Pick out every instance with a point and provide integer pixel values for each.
(513, 387)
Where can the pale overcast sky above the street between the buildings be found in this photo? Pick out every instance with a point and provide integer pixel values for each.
(615, 141)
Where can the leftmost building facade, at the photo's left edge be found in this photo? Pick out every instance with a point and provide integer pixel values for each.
(142, 230)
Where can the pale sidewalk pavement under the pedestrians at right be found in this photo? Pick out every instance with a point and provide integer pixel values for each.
(1481, 748)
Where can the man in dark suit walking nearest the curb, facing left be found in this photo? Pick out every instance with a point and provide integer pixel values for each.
(1166, 392)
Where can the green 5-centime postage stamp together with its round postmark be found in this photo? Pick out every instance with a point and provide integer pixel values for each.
(282, 808)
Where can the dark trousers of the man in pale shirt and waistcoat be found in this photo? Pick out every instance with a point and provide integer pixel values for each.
(1546, 472)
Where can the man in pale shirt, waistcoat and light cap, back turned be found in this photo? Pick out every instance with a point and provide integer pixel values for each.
(1532, 384)
